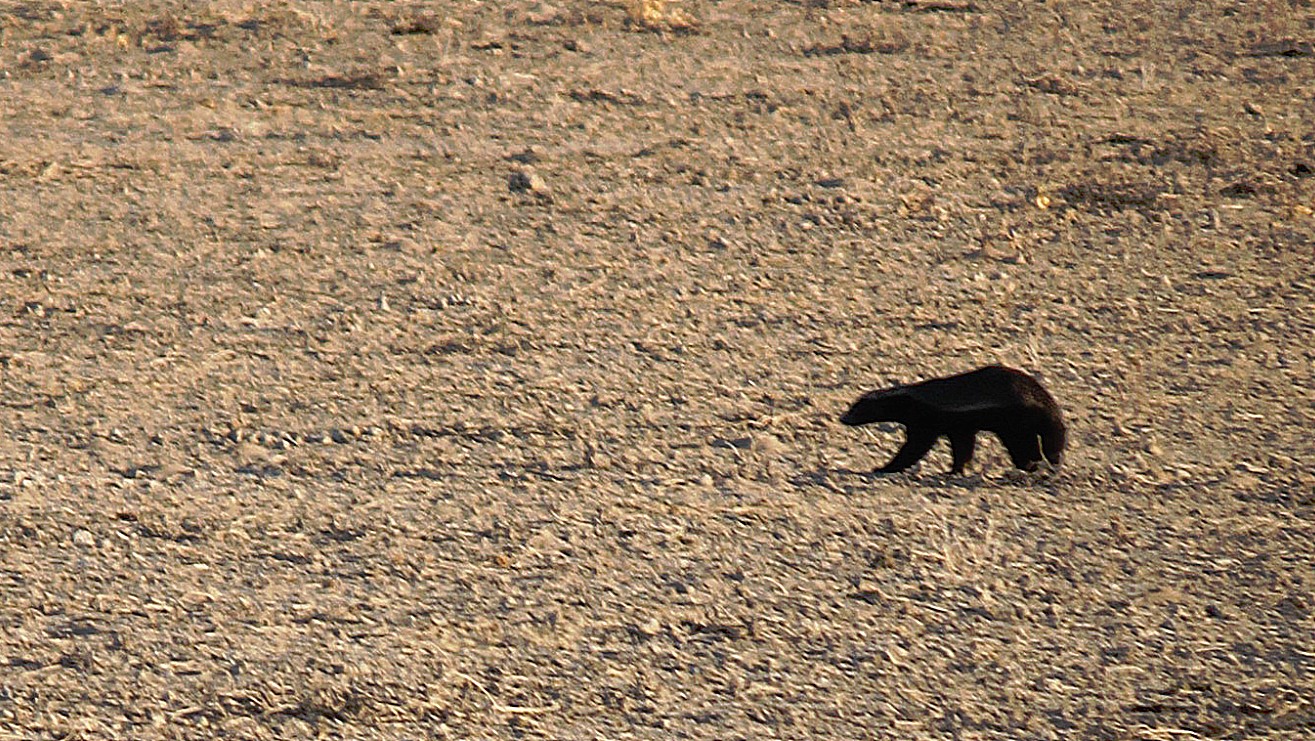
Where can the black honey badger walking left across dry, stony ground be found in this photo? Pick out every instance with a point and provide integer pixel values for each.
(995, 399)
